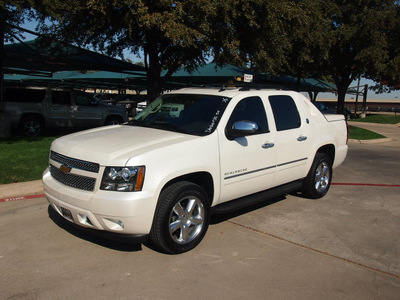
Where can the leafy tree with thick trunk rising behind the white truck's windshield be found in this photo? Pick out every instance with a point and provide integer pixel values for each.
(171, 34)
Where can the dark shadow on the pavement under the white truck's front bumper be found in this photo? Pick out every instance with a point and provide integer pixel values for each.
(104, 239)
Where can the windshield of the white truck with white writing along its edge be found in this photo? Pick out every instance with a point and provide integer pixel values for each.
(186, 113)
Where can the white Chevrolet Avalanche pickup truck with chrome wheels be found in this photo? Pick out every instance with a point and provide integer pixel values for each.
(191, 153)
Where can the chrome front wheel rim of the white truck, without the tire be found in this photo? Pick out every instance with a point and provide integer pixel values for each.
(186, 220)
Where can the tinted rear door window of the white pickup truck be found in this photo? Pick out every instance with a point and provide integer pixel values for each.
(285, 112)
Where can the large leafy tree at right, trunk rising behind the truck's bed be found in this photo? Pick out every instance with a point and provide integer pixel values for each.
(338, 40)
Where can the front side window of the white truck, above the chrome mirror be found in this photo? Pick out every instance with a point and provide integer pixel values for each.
(250, 109)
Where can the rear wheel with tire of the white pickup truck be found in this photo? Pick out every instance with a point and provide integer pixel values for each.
(319, 178)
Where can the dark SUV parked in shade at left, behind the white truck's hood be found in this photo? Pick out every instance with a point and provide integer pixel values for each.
(33, 109)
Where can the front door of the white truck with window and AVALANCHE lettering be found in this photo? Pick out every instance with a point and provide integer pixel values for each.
(247, 163)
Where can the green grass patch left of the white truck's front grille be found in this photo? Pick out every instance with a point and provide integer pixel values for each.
(23, 159)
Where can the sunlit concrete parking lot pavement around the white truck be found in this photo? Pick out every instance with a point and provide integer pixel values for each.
(343, 246)
